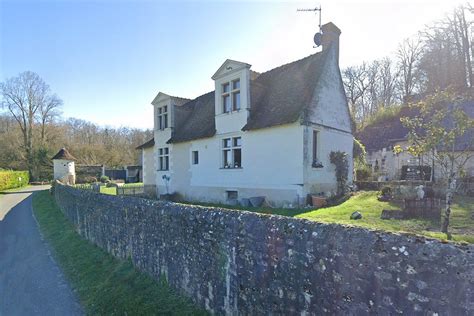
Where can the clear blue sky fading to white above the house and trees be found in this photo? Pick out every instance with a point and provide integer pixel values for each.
(108, 59)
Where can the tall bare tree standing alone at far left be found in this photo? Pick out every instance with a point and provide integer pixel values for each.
(24, 97)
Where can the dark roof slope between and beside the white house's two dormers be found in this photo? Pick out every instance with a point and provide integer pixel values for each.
(277, 97)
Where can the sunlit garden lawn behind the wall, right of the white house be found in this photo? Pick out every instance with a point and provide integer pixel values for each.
(462, 225)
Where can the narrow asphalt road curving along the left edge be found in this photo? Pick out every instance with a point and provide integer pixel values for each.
(31, 282)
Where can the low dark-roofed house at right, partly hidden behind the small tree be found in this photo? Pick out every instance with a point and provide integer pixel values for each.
(381, 137)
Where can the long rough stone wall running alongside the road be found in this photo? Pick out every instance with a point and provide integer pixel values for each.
(234, 262)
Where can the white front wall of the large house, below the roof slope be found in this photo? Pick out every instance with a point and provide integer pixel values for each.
(271, 166)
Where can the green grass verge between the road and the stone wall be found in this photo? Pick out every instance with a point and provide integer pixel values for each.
(104, 284)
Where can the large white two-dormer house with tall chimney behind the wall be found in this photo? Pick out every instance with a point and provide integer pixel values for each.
(257, 134)
